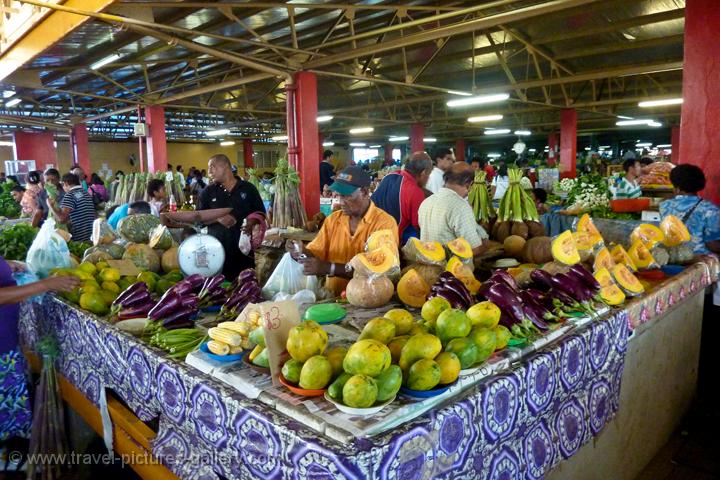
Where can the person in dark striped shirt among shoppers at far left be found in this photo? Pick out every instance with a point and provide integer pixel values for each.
(76, 208)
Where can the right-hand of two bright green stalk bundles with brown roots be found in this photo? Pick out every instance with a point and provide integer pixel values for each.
(517, 214)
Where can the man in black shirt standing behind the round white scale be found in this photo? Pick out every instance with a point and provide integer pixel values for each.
(229, 191)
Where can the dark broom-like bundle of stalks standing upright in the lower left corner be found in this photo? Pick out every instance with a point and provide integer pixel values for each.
(47, 438)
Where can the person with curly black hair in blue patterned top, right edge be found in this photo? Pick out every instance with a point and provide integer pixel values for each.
(701, 217)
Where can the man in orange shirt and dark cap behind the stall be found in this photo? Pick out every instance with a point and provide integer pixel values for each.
(344, 233)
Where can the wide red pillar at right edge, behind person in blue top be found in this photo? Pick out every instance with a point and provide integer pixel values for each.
(700, 123)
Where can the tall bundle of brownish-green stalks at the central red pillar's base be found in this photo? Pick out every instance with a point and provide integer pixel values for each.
(288, 210)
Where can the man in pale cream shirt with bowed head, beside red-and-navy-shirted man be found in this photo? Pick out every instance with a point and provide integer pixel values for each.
(447, 215)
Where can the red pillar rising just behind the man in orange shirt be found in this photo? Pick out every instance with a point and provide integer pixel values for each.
(306, 135)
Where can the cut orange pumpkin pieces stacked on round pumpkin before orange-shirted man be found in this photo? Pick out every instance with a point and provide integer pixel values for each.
(371, 285)
